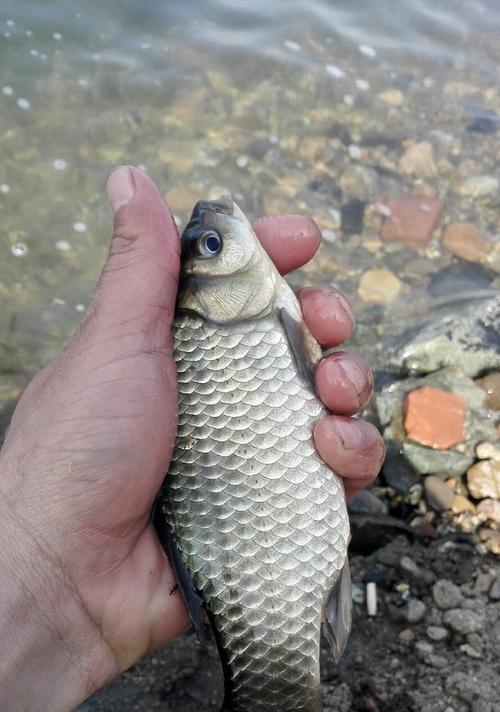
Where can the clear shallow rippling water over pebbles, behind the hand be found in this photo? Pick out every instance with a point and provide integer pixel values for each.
(276, 101)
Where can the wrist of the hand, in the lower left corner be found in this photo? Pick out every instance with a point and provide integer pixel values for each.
(53, 655)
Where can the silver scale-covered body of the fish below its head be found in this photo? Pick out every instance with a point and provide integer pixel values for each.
(258, 518)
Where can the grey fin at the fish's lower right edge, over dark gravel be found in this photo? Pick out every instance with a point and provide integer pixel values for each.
(338, 612)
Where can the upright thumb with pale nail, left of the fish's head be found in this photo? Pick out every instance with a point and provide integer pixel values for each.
(137, 288)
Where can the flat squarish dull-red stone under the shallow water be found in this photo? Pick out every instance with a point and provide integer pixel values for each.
(412, 219)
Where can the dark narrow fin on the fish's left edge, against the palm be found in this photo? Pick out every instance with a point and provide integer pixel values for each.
(190, 596)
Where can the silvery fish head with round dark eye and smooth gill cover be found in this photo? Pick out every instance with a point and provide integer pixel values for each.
(225, 273)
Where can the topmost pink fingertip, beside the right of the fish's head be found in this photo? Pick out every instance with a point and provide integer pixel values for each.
(289, 240)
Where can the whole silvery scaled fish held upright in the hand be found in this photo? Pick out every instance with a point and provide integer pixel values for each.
(254, 523)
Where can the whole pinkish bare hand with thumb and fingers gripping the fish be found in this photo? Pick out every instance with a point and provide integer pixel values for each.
(85, 587)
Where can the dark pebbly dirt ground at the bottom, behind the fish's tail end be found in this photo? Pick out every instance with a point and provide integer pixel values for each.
(415, 655)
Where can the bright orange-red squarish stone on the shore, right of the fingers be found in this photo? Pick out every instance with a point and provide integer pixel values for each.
(434, 418)
